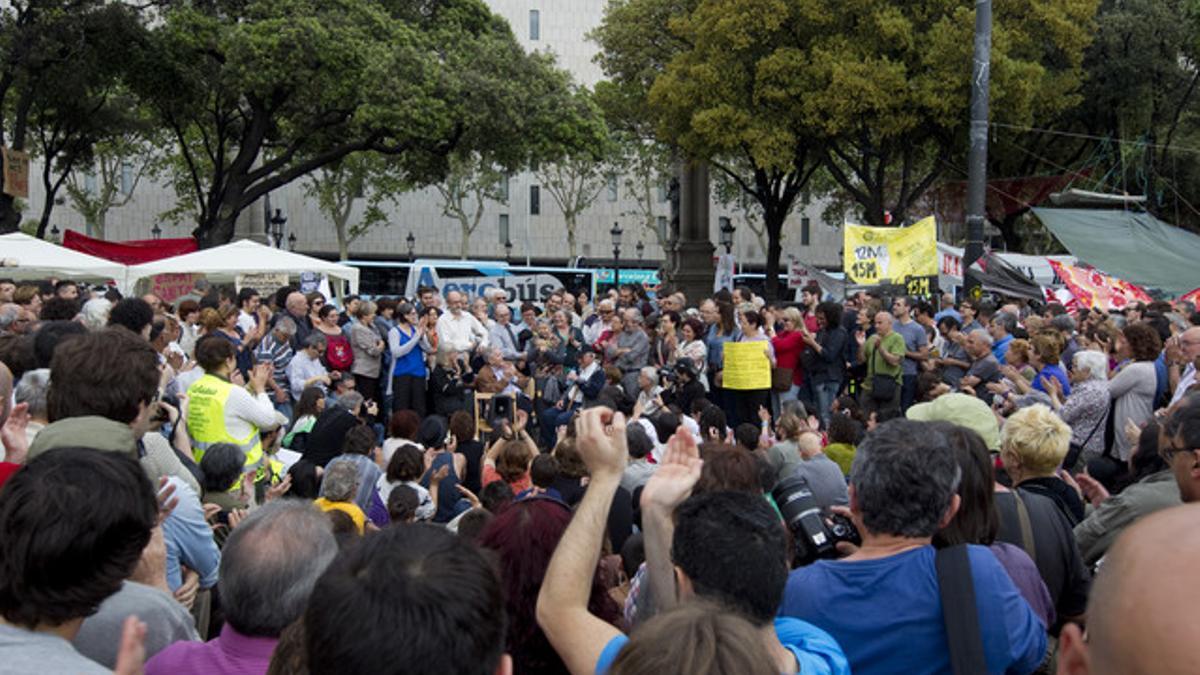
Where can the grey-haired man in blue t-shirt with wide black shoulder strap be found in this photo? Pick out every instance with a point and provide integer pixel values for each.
(883, 604)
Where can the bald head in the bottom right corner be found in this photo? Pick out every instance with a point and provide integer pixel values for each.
(1142, 612)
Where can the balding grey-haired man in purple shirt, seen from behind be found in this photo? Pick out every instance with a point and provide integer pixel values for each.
(271, 564)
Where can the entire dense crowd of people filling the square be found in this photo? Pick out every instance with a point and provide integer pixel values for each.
(293, 483)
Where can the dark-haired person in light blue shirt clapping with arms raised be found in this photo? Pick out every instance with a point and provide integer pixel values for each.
(713, 540)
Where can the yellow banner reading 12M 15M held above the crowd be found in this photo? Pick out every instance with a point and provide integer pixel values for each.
(890, 255)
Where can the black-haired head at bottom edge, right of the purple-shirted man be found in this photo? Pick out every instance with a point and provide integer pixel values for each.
(436, 606)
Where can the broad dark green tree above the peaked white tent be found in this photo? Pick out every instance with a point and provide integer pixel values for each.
(260, 93)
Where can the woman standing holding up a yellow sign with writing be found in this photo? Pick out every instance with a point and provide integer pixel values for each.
(748, 365)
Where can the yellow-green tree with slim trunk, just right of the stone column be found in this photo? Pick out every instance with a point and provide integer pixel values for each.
(723, 97)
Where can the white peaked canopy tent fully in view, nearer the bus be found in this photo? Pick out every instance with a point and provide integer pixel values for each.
(225, 264)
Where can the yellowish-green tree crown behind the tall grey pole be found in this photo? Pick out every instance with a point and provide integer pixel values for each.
(889, 86)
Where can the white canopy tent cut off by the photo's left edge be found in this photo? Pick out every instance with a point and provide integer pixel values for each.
(29, 258)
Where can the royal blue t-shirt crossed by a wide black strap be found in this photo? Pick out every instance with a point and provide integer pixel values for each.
(887, 613)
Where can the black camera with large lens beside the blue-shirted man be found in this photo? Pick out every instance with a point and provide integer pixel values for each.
(817, 531)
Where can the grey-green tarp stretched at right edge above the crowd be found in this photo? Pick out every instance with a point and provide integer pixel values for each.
(1135, 247)
